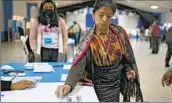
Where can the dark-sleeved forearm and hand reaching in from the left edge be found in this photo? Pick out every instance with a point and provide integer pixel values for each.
(8, 85)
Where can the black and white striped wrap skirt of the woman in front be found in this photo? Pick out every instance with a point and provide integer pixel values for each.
(107, 83)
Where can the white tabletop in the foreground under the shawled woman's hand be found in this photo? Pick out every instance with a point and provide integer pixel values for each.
(87, 94)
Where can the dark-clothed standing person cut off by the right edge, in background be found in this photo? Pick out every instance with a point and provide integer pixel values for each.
(169, 46)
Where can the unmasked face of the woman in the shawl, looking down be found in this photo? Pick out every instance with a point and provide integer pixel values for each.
(103, 17)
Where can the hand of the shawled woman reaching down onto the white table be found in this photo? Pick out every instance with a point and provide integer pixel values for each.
(63, 90)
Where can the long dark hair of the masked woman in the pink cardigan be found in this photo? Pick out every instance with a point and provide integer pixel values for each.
(42, 18)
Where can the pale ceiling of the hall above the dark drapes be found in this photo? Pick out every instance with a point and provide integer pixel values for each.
(164, 5)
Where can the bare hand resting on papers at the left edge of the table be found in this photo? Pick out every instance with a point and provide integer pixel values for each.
(21, 85)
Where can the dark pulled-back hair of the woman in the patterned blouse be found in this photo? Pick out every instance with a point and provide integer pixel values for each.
(104, 3)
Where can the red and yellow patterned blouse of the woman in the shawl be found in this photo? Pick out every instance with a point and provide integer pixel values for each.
(106, 49)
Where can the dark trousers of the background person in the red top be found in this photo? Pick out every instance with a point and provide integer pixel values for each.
(155, 44)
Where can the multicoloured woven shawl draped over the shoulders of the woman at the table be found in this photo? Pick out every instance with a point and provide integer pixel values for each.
(127, 51)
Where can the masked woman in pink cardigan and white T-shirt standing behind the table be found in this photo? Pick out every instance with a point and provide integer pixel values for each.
(48, 36)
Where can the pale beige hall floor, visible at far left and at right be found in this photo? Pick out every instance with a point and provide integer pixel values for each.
(151, 68)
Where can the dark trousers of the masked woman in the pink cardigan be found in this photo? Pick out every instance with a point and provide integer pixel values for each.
(49, 55)
